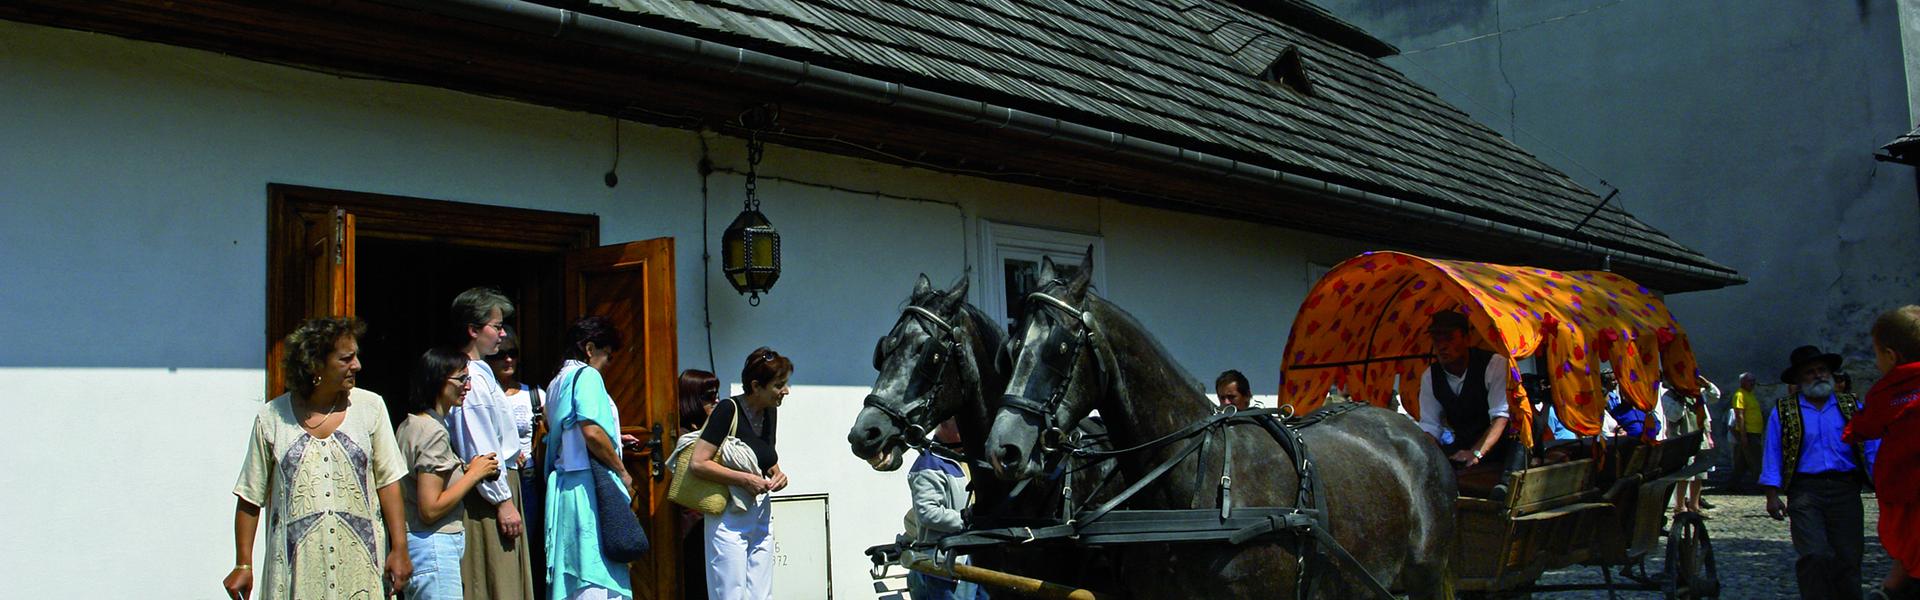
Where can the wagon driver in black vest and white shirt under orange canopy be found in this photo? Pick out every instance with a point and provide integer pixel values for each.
(1466, 391)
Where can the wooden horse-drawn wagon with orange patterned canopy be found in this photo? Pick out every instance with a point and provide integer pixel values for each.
(1593, 503)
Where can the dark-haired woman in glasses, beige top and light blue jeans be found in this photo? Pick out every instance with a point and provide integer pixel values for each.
(437, 484)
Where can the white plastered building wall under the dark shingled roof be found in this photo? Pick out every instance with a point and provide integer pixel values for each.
(133, 280)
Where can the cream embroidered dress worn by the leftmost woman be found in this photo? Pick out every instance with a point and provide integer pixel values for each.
(325, 537)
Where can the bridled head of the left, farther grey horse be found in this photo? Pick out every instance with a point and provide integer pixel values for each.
(928, 372)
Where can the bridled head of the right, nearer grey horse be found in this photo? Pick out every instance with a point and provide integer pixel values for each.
(1055, 374)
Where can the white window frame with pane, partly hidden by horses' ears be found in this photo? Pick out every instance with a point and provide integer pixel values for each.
(1003, 241)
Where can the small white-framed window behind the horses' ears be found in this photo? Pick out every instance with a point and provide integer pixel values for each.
(1013, 257)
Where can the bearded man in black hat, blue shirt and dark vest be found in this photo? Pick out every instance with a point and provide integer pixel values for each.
(1821, 474)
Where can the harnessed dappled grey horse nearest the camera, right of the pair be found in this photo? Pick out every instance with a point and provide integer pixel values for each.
(1387, 491)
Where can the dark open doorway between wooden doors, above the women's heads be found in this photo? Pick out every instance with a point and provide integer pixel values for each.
(406, 289)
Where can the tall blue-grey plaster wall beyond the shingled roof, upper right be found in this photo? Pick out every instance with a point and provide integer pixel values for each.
(1742, 130)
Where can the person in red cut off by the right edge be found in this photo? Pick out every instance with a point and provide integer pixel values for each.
(1892, 414)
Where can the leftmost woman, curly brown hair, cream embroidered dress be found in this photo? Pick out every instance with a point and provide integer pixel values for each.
(324, 464)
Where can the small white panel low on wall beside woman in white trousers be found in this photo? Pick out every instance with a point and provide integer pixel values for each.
(802, 559)
